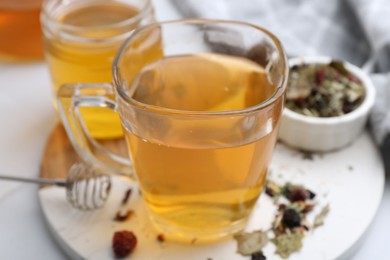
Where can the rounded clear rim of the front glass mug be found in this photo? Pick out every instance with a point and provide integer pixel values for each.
(117, 80)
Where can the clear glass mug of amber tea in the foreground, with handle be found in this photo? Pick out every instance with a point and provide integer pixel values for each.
(200, 122)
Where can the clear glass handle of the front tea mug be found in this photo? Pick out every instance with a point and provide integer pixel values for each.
(71, 97)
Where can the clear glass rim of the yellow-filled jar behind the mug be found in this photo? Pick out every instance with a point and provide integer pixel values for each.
(50, 24)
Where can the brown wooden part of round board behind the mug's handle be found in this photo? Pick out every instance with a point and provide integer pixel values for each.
(59, 154)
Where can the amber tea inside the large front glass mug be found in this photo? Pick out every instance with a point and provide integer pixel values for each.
(192, 184)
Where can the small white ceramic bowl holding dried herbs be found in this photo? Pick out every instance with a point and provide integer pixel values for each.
(326, 134)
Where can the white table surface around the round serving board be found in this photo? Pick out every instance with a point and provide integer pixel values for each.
(27, 117)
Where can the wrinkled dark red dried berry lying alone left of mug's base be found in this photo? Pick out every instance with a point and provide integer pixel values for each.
(123, 243)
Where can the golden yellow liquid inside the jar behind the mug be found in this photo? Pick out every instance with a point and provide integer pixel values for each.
(87, 58)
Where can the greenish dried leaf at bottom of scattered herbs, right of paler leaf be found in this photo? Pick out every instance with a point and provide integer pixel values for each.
(288, 243)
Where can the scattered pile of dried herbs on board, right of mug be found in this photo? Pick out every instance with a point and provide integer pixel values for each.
(290, 224)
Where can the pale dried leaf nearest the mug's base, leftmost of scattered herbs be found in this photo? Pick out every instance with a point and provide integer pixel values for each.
(249, 243)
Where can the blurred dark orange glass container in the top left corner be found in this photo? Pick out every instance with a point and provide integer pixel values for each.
(20, 30)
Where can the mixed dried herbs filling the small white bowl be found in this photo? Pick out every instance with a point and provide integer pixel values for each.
(323, 90)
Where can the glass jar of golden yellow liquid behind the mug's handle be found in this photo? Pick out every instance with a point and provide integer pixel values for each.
(81, 39)
